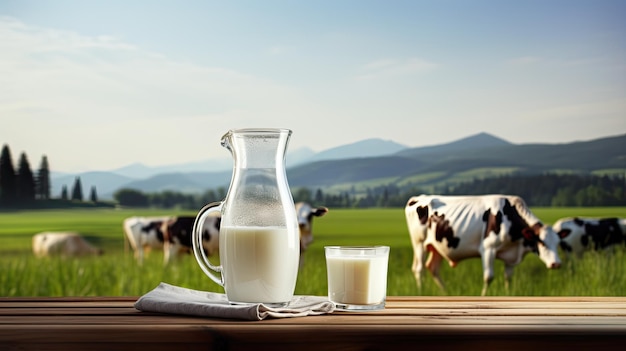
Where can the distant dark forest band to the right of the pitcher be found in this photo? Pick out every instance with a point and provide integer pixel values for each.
(537, 190)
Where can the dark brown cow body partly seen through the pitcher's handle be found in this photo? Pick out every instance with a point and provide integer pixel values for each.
(177, 236)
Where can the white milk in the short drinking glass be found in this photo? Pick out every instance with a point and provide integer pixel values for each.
(357, 280)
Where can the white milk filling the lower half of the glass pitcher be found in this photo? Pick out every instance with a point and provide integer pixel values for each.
(260, 263)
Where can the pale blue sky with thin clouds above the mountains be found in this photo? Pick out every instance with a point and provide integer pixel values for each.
(97, 85)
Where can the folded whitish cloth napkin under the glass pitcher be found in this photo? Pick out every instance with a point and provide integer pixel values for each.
(167, 298)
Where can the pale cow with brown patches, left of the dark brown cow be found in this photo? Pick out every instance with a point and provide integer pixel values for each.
(144, 234)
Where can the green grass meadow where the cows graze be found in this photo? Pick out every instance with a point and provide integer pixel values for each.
(116, 272)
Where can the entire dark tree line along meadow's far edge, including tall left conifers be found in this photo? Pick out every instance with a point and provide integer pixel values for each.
(20, 187)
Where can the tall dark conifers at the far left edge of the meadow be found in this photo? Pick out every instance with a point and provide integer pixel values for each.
(20, 187)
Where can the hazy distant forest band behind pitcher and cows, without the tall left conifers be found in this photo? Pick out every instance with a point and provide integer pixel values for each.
(537, 190)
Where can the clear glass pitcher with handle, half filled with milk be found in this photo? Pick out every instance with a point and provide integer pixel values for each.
(259, 237)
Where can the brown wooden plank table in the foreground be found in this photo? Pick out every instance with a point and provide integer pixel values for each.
(416, 323)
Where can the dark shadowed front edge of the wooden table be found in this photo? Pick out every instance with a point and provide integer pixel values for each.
(245, 335)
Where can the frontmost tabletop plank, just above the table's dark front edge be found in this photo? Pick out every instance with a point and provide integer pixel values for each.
(96, 331)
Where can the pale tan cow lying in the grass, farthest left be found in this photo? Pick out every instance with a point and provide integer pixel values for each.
(67, 244)
